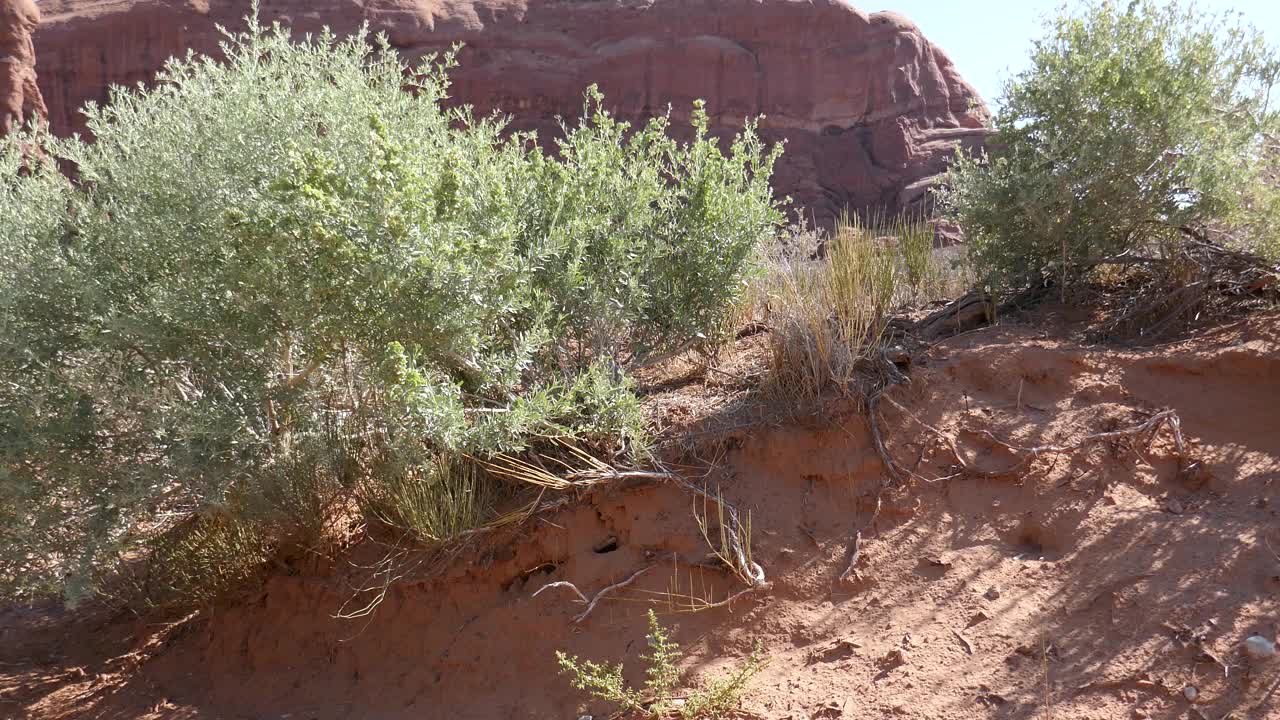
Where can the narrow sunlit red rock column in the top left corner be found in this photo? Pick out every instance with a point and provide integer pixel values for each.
(20, 95)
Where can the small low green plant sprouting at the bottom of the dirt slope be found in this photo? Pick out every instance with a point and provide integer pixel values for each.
(711, 700)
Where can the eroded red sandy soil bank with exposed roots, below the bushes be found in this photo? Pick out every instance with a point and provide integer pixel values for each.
(1094, 584)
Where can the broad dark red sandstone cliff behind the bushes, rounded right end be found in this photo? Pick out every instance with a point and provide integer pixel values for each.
(870, 110)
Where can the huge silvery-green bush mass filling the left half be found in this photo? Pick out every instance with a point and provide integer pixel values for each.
(282, 282)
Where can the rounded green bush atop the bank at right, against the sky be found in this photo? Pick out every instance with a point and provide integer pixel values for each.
(1136, 125)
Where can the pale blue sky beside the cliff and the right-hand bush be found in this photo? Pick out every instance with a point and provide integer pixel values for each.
(990, 42)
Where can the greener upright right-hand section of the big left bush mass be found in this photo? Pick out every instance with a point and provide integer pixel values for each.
(638, 267)
